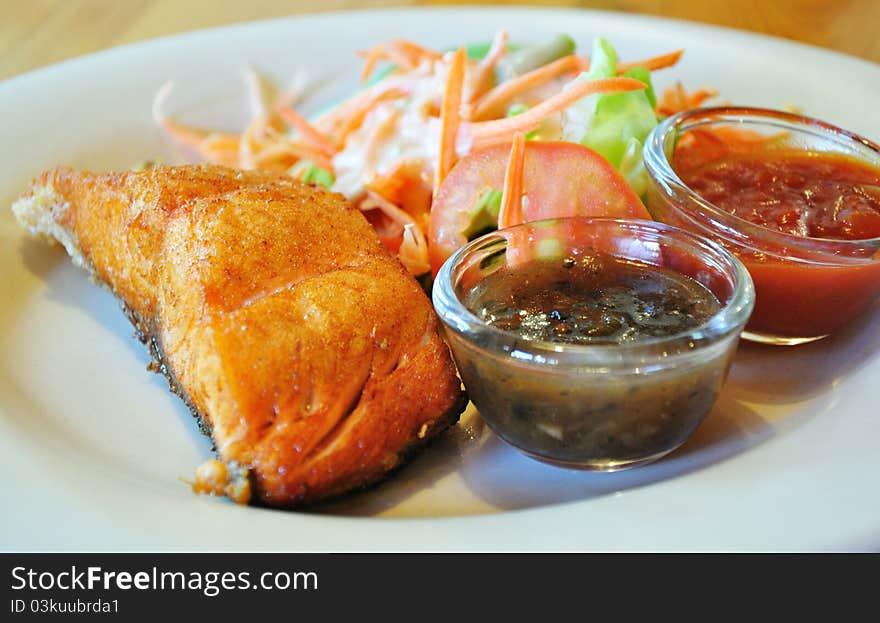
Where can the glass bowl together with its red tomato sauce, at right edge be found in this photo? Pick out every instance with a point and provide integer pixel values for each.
(797, 200)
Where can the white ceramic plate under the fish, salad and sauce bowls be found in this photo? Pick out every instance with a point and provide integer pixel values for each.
(92, 446)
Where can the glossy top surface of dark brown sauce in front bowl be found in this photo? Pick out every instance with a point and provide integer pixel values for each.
(595, 298)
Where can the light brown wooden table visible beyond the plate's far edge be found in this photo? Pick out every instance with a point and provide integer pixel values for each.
(34, 33)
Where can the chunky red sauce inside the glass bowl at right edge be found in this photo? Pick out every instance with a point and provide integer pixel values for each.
(801, 193)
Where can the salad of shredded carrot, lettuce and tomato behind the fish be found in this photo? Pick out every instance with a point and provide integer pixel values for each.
(437, 148)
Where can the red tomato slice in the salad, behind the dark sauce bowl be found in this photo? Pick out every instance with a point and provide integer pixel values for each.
(560, 179)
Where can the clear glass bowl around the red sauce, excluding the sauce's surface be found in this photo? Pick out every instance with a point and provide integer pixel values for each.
(805, 287)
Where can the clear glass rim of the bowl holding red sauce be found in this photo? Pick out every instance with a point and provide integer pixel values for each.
(734, 228)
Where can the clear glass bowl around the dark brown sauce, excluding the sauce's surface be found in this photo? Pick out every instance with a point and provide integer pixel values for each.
(602, 406)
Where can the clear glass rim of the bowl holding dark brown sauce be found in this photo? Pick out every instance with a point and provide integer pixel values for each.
(729, 319)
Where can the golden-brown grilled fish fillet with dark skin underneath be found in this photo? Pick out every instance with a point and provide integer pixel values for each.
(310, 353)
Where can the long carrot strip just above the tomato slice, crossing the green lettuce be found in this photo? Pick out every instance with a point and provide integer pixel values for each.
(530, 119)
